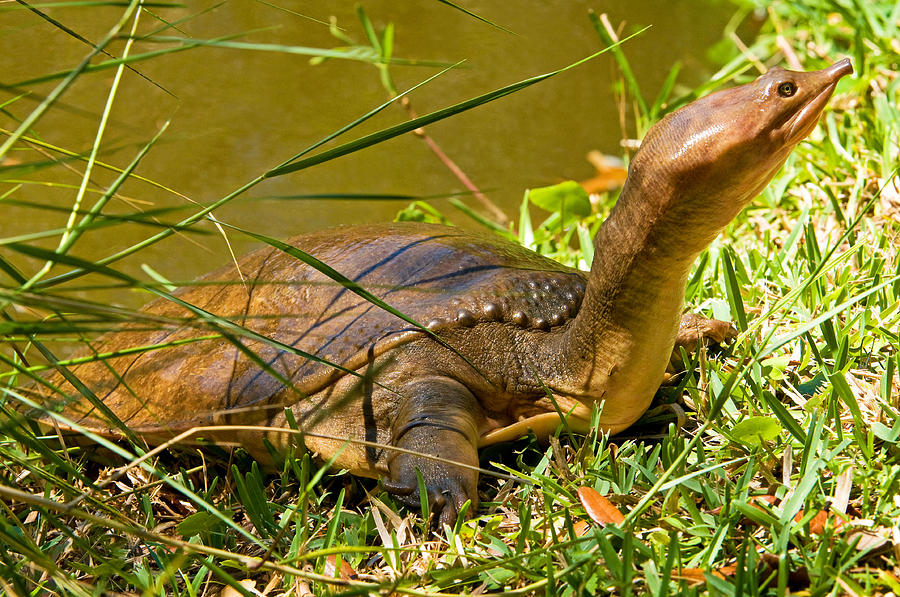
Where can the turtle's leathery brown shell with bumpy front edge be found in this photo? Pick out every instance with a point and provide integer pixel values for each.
(189, 368)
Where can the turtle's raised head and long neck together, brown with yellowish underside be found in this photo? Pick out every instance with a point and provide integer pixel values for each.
(694, 172)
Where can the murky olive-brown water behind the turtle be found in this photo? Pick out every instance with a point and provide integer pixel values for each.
(234, 113)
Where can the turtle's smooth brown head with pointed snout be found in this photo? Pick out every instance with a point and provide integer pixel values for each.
(711, 157)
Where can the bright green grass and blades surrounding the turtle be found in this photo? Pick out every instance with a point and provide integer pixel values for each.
(802, 409)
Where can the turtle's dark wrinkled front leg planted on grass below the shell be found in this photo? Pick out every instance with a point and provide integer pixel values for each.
(439, 417)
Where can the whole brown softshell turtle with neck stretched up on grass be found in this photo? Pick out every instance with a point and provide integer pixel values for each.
(516, 339)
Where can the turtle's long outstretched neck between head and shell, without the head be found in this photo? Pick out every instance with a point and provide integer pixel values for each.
(622, 337)
